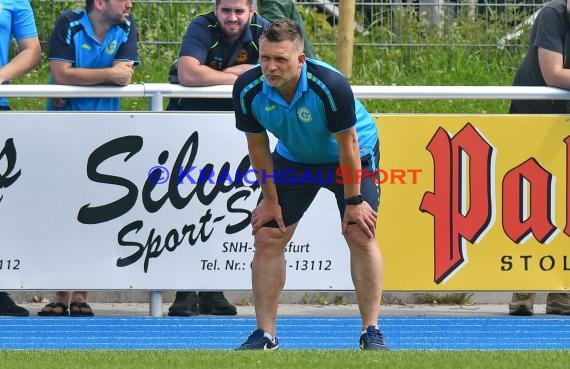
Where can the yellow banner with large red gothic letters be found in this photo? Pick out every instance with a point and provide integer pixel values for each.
(474, 202)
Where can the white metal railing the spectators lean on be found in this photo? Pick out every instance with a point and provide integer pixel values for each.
(157, 91)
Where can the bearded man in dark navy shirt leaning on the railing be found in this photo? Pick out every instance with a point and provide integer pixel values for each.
(217, 47)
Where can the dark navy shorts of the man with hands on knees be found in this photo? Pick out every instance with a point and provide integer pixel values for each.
(297, 185)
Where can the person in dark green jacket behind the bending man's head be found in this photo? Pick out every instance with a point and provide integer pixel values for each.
(273, 10)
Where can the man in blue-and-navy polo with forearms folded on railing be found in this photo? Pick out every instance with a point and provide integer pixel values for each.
(95, 46)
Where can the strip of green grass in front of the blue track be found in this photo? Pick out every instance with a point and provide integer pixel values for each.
(314, 359)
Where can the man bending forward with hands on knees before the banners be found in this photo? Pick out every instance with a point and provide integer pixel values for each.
(321, 127)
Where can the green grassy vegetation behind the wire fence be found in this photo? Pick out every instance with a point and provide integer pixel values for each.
(398, 49)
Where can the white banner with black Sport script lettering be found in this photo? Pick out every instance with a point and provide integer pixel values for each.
(80, 207)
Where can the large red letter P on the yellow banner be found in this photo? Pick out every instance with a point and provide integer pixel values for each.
(453, 222)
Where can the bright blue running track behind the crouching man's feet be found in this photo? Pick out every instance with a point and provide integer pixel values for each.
(335, 333)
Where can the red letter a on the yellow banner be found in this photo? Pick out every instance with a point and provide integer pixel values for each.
(516, 224)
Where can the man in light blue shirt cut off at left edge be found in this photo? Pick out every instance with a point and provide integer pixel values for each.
(16, 19)
